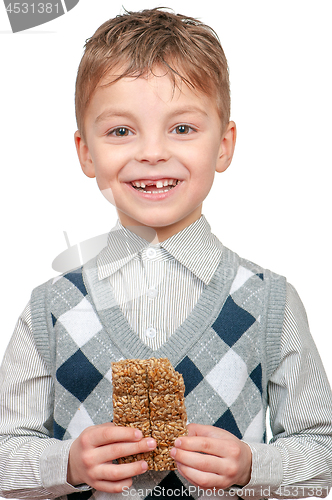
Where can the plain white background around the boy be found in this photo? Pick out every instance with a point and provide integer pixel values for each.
(272, 206)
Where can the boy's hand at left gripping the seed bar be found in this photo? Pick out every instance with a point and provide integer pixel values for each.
(92, 453)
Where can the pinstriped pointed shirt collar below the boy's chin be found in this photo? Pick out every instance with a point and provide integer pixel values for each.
(195, 247)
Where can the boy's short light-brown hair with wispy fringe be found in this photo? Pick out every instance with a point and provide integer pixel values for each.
(136, 42)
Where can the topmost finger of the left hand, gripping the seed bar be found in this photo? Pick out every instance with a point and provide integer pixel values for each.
(104, 434)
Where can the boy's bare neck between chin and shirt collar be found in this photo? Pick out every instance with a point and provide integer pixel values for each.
(163, 232)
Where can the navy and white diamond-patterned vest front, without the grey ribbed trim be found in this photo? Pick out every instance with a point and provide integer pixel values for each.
(223, 374)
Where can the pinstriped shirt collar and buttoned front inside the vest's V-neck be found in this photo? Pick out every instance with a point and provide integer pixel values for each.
(158, 285)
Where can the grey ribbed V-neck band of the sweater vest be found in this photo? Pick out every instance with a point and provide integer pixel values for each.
(201, 317)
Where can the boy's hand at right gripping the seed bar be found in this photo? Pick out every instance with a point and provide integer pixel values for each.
(211, 457)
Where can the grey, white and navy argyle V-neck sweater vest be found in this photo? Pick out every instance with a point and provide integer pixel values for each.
(226, 349)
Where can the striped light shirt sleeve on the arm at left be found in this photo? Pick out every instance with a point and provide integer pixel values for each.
(26, 407)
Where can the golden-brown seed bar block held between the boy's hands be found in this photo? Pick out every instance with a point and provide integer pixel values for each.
(149, 395)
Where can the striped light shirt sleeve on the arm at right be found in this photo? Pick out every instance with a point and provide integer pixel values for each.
(297, 462)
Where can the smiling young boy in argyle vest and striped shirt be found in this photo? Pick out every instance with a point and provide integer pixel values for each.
(152, 104)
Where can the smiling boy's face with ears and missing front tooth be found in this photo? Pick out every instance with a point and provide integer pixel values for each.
(154, 150)
